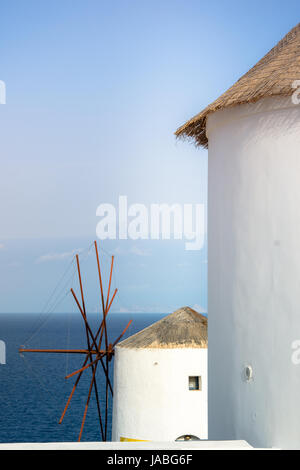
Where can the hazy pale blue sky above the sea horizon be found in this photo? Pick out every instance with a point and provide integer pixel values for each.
(95, 91)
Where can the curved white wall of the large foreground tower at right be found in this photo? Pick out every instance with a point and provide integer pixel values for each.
(254, 272)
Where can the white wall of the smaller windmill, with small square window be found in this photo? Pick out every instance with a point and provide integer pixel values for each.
(152, 400)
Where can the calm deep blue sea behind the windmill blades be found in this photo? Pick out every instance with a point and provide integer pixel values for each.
(33, 389)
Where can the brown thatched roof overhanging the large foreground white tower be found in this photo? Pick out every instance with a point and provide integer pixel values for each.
(271, 76)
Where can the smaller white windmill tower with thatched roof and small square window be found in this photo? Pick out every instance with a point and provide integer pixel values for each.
(160, 381)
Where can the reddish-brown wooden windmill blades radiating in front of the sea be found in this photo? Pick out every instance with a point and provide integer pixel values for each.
(94, 353)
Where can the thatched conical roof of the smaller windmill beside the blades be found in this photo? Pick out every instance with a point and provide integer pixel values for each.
(185, 328)
